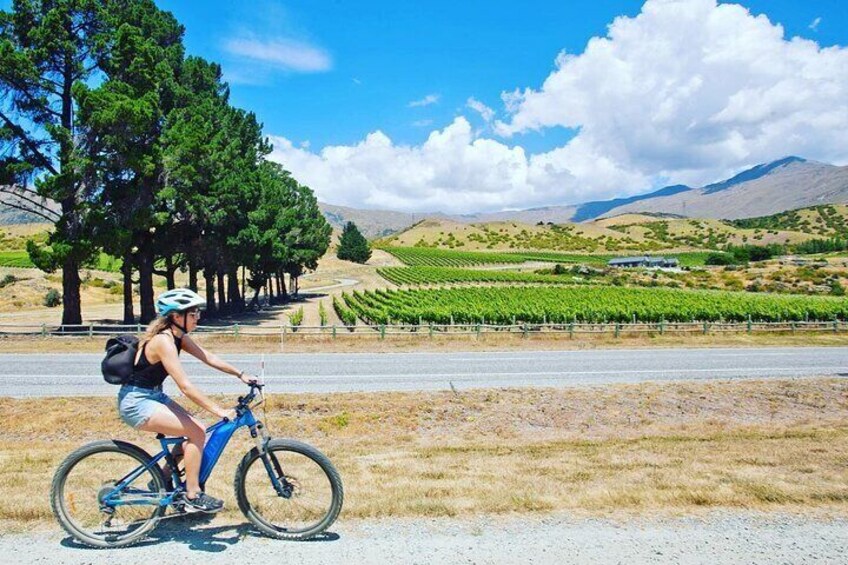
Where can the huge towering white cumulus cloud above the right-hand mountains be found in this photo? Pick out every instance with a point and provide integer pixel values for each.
(692, 90)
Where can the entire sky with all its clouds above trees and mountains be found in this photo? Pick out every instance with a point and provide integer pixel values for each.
(467, 106)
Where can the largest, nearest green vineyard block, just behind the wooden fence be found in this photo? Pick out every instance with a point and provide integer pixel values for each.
(565, 304)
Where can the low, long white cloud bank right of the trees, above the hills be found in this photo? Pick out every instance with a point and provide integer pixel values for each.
(451, 171)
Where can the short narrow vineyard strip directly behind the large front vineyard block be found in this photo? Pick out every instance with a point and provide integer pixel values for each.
(449, 275)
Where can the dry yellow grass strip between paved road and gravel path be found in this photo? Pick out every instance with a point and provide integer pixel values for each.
(766, 445)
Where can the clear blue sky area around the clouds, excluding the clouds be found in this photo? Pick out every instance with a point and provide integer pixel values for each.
(383, 55)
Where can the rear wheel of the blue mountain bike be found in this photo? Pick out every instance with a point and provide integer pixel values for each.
(87, 476)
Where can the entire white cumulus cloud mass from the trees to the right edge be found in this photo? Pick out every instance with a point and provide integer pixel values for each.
(688, 91)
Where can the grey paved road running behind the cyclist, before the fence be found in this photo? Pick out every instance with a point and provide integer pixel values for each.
(69, 375)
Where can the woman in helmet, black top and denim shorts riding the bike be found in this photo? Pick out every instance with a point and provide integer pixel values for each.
(141, 402)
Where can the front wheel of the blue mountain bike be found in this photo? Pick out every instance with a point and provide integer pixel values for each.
(310, 496)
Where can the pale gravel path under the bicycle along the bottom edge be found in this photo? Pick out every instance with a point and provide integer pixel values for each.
(717, 538)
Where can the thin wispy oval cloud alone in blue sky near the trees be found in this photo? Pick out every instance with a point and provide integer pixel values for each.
(283, 53)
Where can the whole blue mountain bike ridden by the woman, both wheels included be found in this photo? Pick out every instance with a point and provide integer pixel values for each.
(112, 493)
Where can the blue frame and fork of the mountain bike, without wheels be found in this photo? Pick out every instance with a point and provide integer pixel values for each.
(218, 437)
